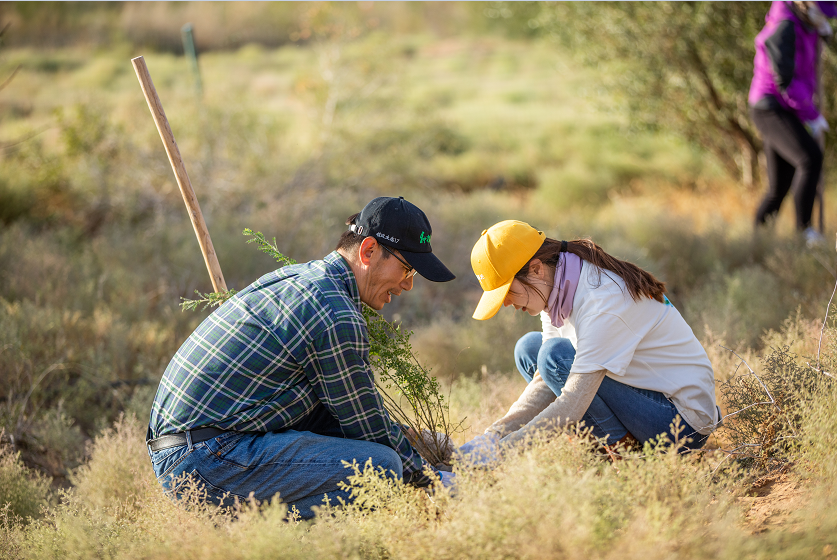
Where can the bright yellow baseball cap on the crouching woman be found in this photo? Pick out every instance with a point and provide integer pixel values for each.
(500, 253)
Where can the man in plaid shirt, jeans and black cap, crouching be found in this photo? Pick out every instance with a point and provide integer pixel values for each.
(273, 391)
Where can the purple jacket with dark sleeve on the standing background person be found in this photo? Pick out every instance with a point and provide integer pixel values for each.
(786, 63)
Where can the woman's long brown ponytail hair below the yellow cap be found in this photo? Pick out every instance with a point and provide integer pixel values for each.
(640, 283)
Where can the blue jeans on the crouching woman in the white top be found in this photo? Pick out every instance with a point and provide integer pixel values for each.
(617, 409)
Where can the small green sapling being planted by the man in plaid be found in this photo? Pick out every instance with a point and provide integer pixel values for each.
(426, 415)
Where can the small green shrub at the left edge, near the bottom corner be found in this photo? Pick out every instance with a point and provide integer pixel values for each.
(22, 492)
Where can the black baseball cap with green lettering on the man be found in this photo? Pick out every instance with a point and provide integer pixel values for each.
(401, 225)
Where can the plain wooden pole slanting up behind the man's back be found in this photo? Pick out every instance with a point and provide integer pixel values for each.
(179, 169)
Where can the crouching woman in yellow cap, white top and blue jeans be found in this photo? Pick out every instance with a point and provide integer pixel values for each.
(614, 353)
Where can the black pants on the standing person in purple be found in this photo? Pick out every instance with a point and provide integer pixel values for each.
(794, 161)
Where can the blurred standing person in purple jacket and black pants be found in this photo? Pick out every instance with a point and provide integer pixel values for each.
(782, 106)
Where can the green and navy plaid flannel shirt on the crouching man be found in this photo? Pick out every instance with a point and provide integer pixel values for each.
(265, 359)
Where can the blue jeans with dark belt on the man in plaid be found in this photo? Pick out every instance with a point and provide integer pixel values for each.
(302, 467)
